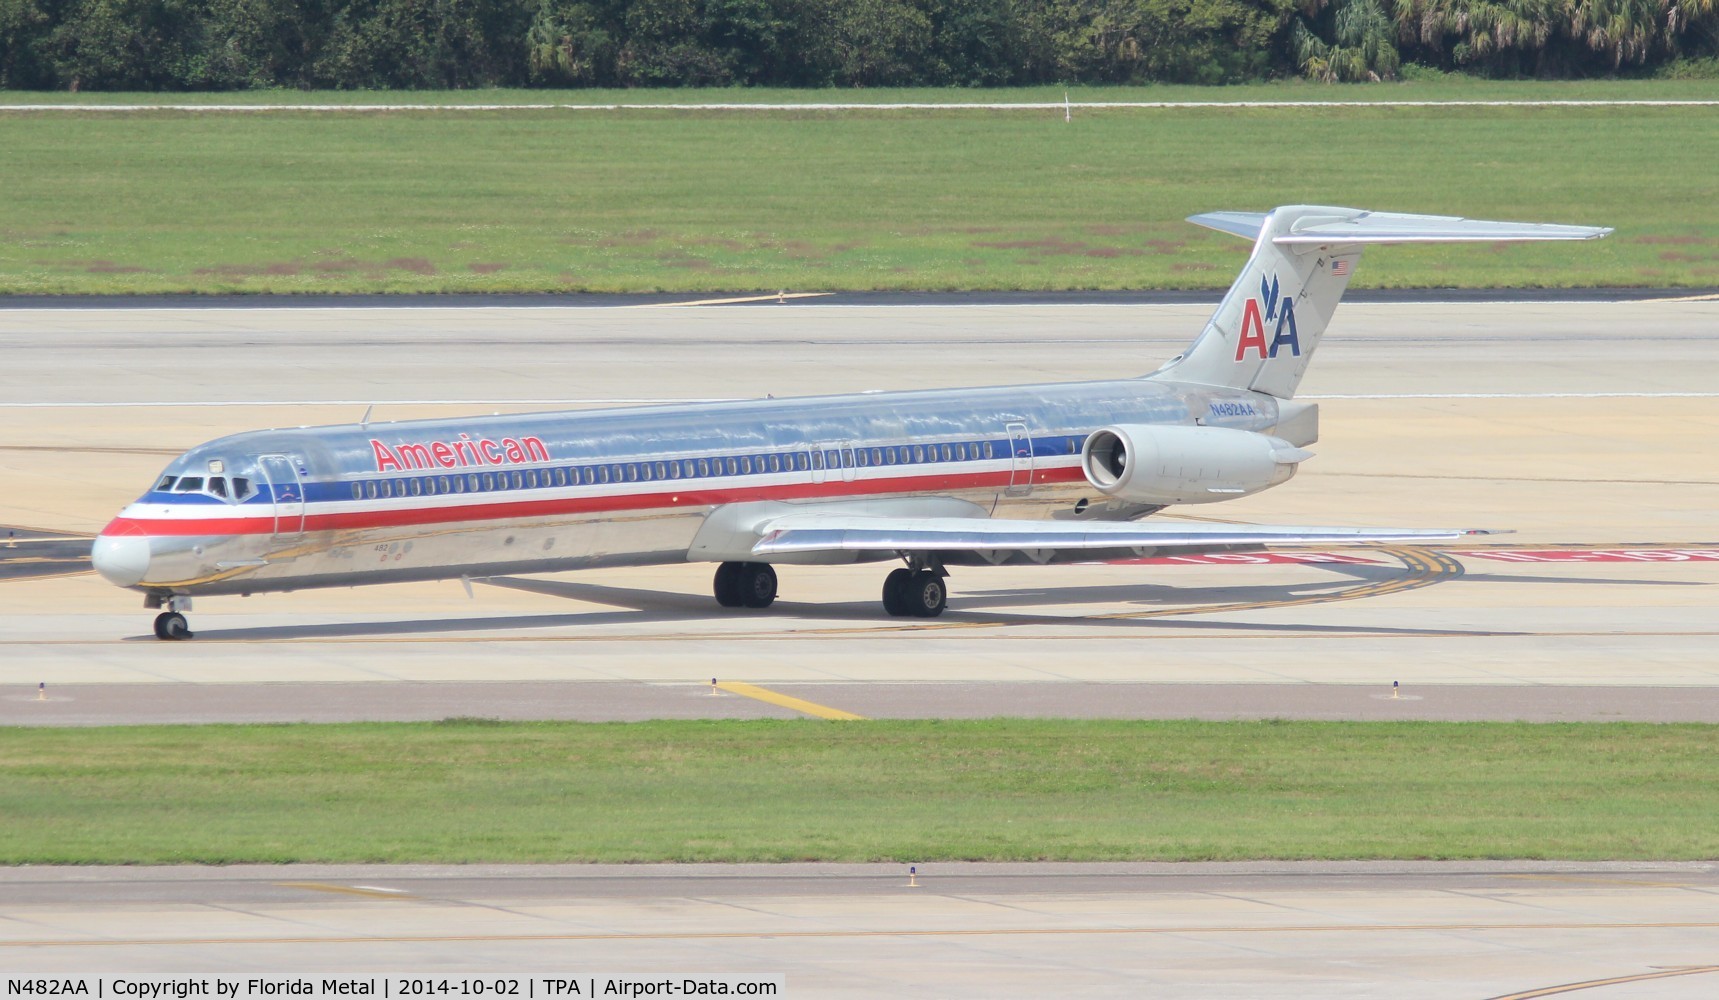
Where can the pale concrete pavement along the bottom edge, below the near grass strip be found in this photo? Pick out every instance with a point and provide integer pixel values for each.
(1405, 930)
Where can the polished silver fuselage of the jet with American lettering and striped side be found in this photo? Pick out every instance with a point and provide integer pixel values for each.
(362, 504)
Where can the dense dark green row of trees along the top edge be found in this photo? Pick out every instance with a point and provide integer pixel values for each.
(809, 44)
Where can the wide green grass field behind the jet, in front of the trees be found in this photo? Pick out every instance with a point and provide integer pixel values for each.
(709, 202)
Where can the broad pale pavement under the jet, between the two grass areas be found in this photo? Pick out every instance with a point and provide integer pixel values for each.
(1589, 429)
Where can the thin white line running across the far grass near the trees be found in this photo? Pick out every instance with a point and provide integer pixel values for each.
(872, 107)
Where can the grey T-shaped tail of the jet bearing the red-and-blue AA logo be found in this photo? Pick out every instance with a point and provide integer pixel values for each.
(1271, 322)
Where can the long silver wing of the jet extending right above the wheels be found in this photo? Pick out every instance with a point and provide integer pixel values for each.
(835, 532)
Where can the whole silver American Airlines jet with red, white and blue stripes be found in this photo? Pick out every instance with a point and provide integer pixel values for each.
(972, 477)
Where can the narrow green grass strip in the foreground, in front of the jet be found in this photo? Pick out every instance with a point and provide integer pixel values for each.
(905, 791)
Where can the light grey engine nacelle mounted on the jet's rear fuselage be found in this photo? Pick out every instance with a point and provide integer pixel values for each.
(1185, 465)
